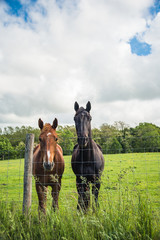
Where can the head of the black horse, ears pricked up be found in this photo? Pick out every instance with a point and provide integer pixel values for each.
(83, 124)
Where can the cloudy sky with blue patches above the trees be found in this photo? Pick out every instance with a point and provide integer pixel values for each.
(56, 52)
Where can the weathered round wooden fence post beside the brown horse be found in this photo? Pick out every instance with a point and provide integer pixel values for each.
(27, 185)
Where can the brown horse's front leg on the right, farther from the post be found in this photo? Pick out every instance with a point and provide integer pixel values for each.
(55, 193)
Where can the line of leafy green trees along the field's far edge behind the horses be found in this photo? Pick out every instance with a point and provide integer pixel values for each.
(116, 138)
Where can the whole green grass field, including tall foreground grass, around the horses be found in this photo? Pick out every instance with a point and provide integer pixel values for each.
(129, 202)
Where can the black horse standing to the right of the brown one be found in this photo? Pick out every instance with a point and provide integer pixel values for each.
(87, 158)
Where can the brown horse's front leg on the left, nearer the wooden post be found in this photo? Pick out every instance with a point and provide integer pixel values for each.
(42, 196)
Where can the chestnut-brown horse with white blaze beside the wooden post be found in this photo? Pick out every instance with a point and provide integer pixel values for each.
(48, 164)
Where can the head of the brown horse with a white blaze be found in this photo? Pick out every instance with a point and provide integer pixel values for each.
(48, 142)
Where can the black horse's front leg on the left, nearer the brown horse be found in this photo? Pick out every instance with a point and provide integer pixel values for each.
(83, 193)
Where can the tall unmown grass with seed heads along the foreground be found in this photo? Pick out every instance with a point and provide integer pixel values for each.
(123, 221)
